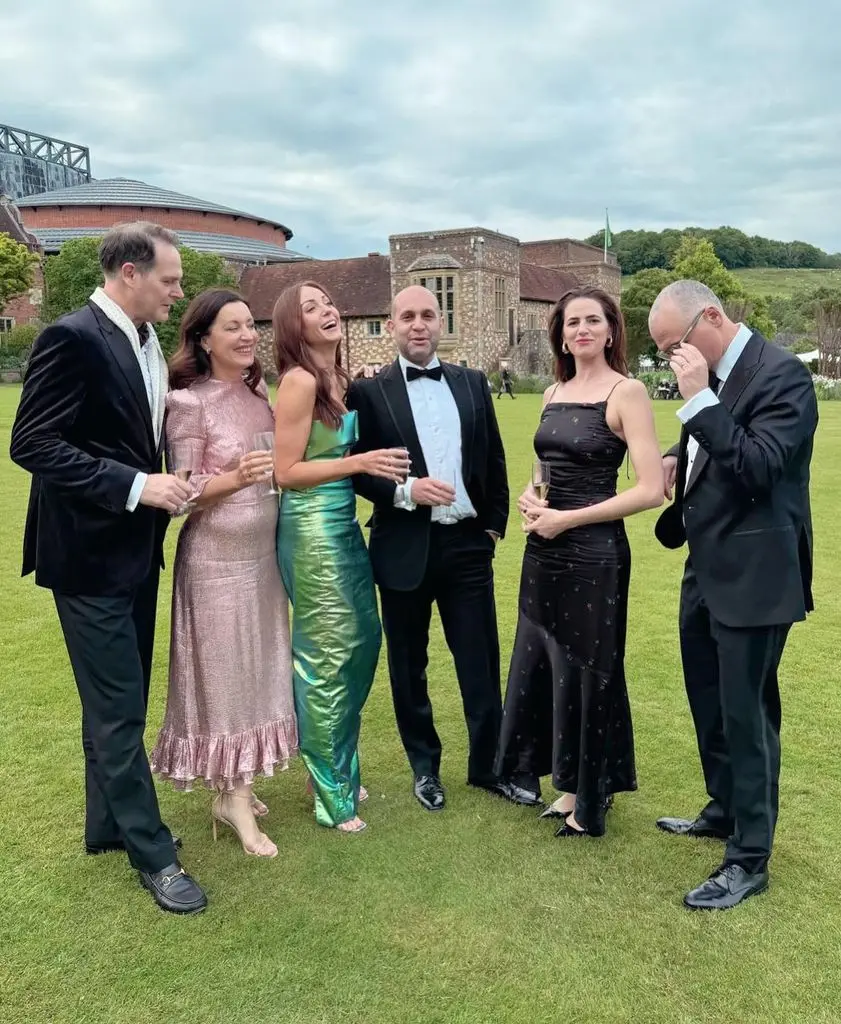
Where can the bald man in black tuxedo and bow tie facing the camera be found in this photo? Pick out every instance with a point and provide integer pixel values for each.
(433, 538)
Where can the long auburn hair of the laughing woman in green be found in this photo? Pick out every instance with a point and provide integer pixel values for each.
(291, 350)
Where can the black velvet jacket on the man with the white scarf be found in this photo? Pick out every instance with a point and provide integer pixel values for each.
(83, 430)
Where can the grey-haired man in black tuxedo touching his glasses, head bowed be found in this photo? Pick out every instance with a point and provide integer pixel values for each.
(741, 480)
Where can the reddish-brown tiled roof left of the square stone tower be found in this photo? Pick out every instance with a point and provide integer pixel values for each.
(360, 287)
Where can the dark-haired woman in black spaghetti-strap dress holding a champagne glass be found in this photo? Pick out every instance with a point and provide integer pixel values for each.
(567, 711)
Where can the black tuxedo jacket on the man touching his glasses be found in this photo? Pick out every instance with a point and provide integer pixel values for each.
(745, 511)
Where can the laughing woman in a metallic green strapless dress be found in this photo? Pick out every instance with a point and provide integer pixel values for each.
(337, 632)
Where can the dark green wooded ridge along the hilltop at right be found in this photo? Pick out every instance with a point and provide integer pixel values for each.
(651, 250)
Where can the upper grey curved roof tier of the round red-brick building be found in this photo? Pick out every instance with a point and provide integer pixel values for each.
(128, 192)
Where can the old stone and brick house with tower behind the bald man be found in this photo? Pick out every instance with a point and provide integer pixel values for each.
(495, 292)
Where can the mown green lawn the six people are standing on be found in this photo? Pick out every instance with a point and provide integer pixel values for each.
(474, 916)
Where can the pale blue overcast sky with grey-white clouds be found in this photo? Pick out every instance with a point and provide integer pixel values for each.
(350, 121)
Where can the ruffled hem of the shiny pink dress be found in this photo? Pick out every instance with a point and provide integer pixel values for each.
(228, 761)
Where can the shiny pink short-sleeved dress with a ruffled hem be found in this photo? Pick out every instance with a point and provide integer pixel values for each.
(230, 714)
